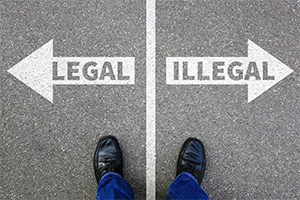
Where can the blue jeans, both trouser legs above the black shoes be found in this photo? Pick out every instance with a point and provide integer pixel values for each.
(185, 186)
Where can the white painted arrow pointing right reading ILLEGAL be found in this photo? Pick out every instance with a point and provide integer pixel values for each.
(259, 70)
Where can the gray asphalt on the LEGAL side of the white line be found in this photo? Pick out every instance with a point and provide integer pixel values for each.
(47, 150)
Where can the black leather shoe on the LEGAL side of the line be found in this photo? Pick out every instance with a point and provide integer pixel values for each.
(108, 157)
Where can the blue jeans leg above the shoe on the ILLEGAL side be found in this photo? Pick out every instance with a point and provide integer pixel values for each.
(185, 186)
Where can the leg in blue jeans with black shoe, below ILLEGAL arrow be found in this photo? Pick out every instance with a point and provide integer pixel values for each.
(191, 166)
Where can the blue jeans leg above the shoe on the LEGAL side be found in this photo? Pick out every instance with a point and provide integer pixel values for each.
(113, 186)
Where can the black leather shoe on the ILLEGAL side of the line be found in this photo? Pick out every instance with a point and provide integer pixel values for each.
(192, 159)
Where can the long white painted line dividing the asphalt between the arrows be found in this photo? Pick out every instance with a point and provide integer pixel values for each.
(150, 99)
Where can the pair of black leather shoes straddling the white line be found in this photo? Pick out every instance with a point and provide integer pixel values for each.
(108, 158)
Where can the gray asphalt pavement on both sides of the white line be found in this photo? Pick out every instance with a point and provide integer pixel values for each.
(252, 148)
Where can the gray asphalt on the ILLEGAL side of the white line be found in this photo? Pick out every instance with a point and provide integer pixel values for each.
(253, 149)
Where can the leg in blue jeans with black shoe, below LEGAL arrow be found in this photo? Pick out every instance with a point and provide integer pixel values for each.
(108, 166)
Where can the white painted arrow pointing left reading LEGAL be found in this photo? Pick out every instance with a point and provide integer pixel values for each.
(40, 70)
